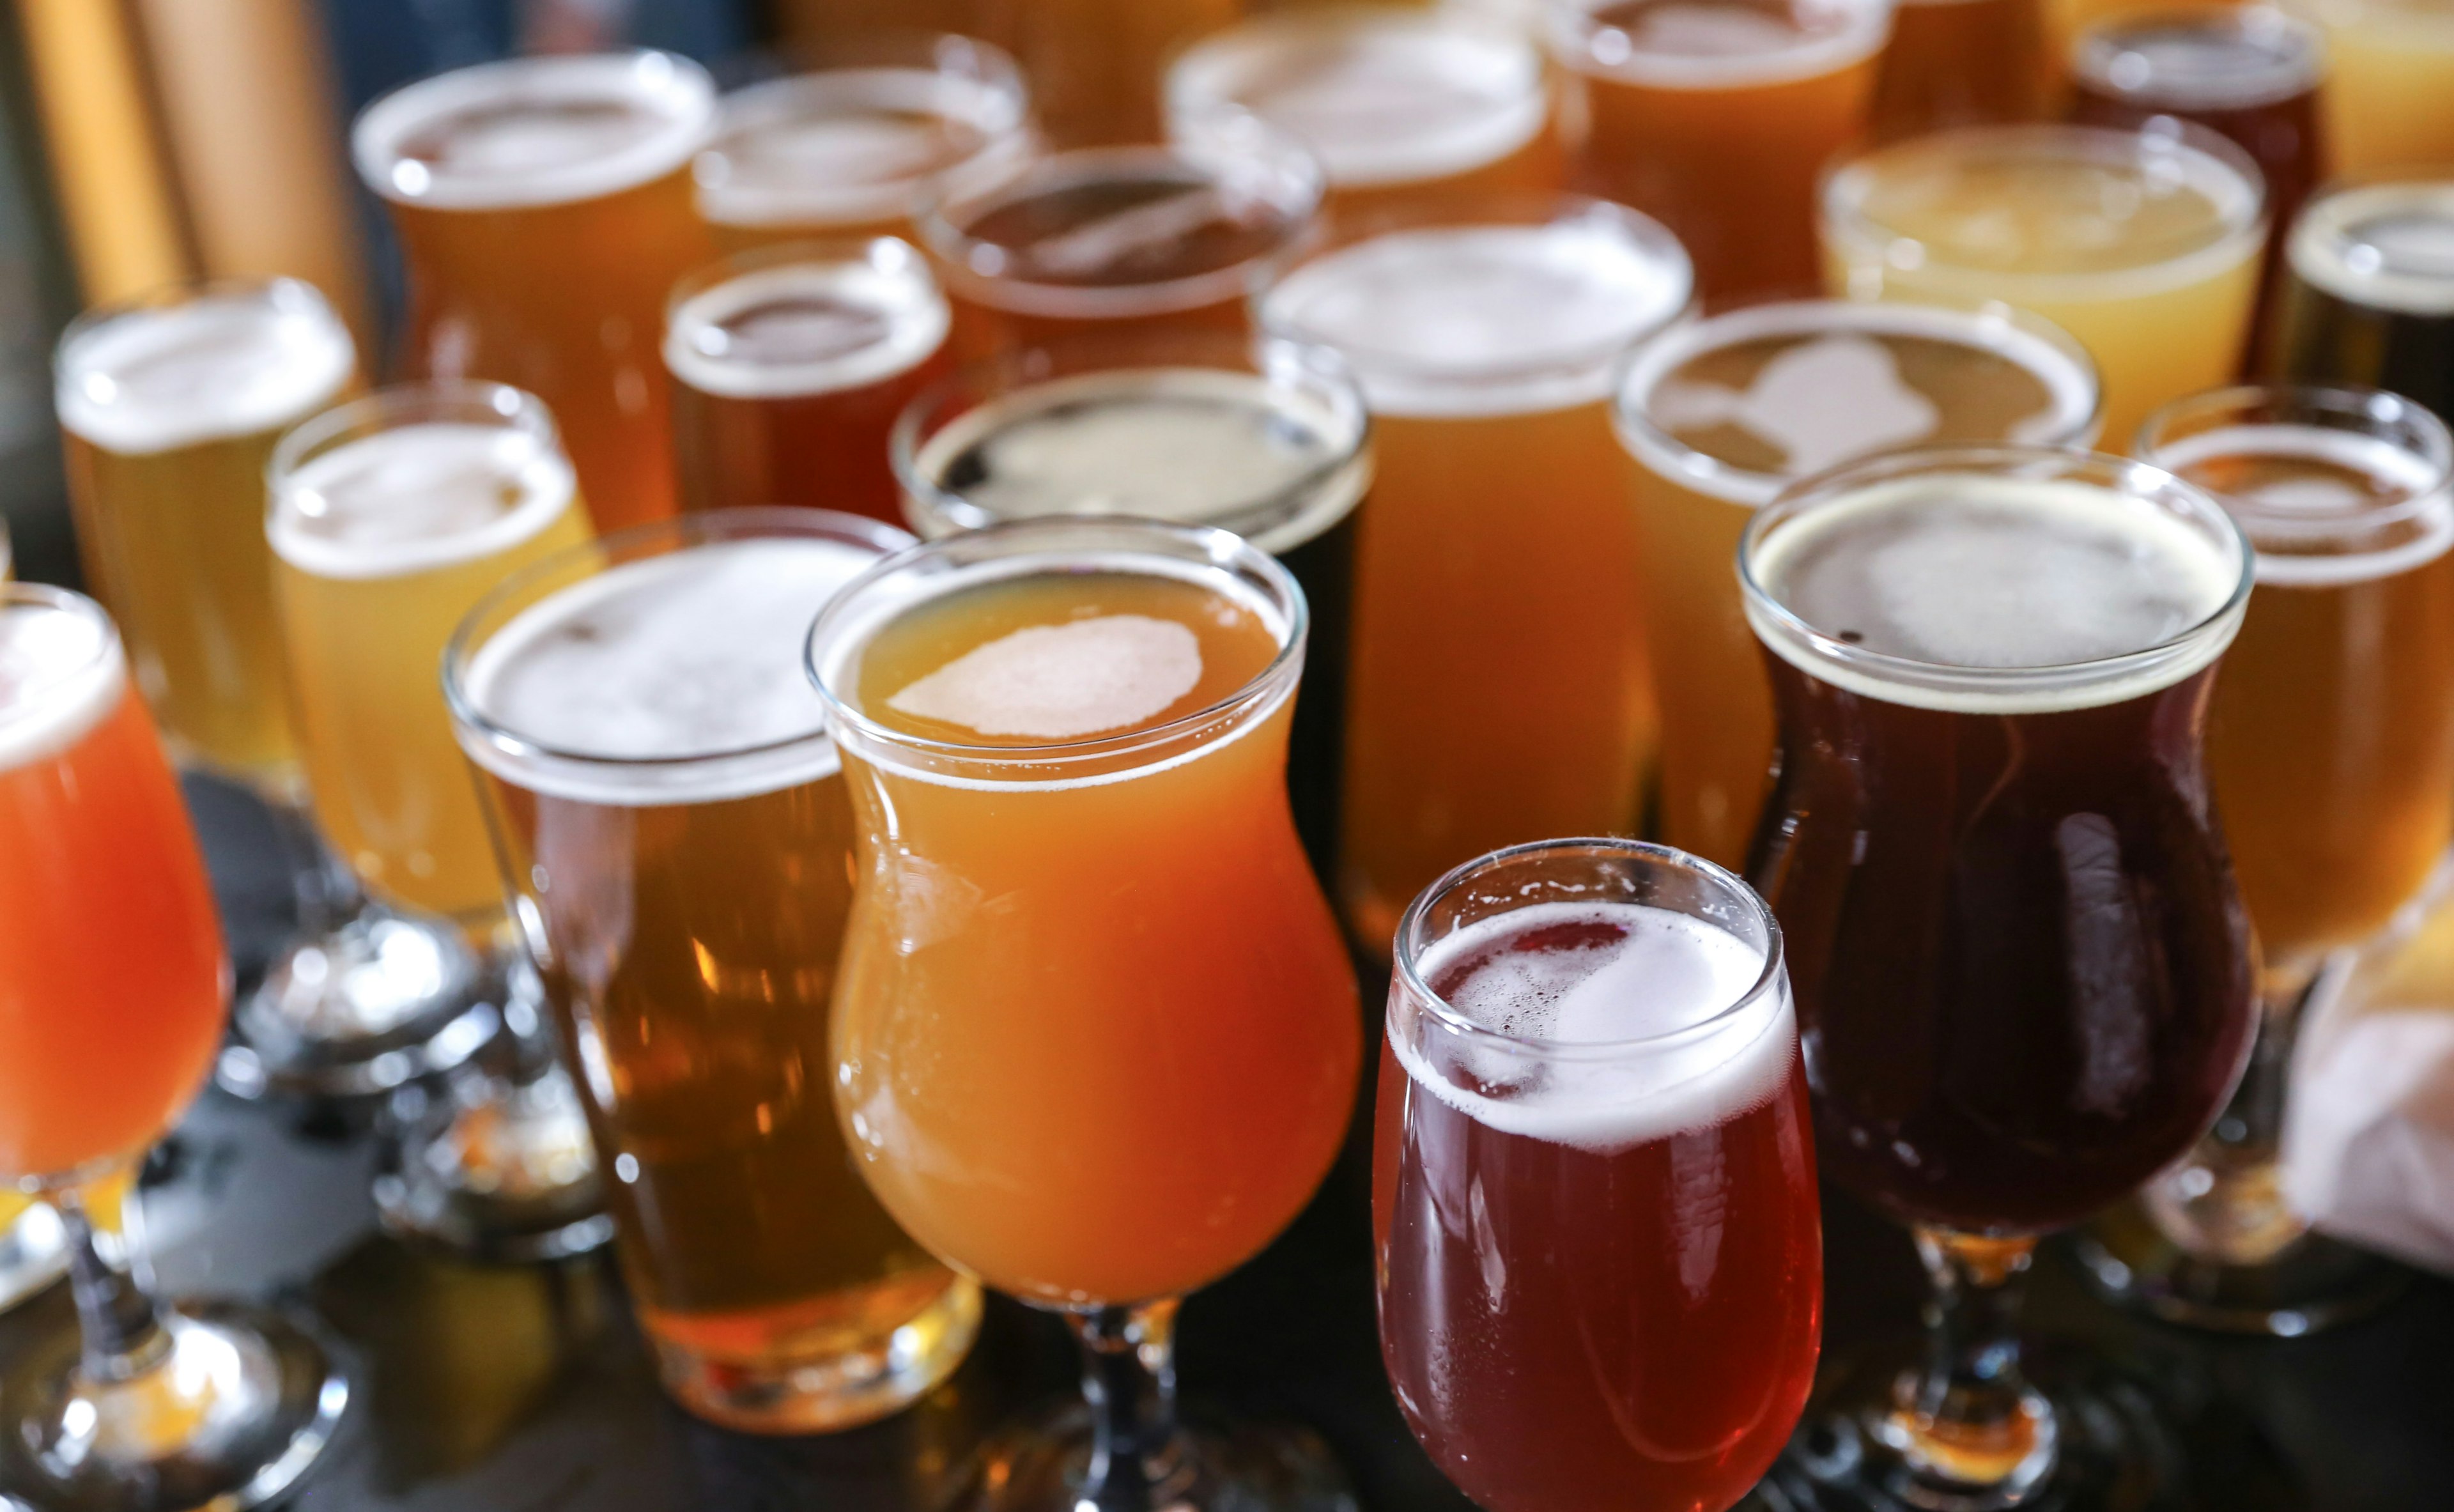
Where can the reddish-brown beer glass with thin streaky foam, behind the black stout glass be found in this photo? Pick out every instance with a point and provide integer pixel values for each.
(1123, 237)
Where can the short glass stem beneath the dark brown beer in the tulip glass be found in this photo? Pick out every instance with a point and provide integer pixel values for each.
(1969, 1417)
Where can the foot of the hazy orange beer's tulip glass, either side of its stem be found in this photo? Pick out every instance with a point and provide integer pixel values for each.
(1209, 1469)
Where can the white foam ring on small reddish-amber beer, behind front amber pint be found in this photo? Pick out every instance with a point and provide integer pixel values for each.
(809, 325)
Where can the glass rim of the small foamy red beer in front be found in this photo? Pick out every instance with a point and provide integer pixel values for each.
(1407, 949)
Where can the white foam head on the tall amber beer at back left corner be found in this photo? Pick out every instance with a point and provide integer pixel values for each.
(536, 131)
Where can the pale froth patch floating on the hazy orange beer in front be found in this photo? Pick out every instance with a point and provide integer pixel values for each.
(1059, 684)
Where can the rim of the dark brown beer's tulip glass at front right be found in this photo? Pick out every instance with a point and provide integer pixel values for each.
(2131, 477)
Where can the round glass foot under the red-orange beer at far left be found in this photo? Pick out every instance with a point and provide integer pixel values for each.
(234, 1413)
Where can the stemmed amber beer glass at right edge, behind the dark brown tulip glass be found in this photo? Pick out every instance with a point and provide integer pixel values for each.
(2333, 747)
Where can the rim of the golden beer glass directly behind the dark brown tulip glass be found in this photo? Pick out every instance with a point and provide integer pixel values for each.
(1658, 357)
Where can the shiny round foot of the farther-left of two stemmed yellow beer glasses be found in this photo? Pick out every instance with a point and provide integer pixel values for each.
(367, 1008)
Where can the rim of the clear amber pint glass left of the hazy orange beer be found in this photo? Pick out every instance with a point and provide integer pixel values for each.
(693, 531)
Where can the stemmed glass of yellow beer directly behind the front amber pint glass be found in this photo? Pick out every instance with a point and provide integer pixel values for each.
(389, 519)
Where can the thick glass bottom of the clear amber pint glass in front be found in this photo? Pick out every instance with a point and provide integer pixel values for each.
(894, 1346)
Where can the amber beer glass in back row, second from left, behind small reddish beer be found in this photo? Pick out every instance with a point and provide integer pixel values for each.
(860, 144)
